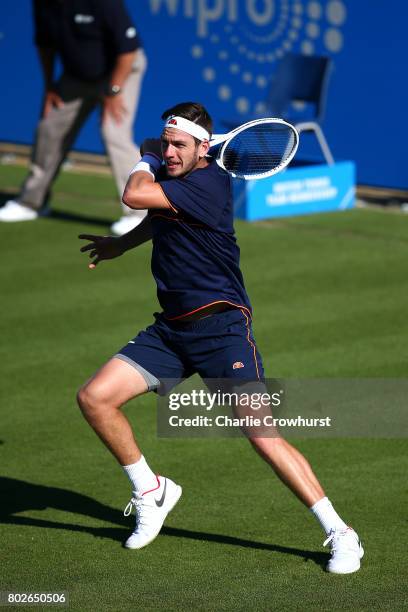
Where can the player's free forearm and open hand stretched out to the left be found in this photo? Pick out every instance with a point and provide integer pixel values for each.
(110, 247)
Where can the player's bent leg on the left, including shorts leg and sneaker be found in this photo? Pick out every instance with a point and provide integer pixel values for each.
(136, 369)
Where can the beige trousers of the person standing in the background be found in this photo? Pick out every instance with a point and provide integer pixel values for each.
(56, 134)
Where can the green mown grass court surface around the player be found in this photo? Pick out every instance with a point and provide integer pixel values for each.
(330, 298)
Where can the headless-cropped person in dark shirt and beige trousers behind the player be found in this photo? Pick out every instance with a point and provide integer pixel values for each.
(103, 64)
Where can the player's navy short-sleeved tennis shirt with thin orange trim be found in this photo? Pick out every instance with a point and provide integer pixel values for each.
(195, 258)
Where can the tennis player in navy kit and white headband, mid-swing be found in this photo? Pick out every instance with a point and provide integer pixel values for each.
(204, 326)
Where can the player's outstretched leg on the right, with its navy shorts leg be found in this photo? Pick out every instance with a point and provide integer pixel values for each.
(239, 349)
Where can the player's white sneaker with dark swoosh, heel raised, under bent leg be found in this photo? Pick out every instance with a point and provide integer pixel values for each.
(152, 507)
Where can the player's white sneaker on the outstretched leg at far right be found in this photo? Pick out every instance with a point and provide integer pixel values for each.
(346, 551)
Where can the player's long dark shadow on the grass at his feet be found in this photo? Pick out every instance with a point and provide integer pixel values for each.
(19, 496)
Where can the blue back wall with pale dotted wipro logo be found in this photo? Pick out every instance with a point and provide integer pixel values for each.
(222, 52)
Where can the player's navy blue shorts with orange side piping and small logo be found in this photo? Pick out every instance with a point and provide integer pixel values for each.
(217, 346)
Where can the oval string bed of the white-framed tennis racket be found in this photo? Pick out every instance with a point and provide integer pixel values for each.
(259, 150)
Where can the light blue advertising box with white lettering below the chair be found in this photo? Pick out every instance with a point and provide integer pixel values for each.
(297, 191)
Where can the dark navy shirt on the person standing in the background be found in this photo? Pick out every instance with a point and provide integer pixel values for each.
(87, 34)
